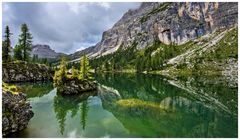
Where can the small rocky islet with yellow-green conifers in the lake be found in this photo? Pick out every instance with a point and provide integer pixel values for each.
(73, 81)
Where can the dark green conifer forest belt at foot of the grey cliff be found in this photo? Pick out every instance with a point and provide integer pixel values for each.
(153, 57)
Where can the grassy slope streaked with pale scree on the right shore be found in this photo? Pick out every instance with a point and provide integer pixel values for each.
(212, 54)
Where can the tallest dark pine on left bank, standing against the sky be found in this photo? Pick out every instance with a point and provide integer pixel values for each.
(25, 42)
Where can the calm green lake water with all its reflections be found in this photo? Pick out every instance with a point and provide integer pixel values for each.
(127, 105)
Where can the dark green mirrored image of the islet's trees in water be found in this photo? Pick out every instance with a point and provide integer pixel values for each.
(71, 103)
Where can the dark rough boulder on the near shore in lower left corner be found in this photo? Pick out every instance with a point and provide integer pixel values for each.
(16, 112)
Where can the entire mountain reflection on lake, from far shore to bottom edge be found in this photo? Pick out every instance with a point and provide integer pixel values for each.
(150, 106)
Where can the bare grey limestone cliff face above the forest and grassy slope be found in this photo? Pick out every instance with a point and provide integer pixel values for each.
(174, 23)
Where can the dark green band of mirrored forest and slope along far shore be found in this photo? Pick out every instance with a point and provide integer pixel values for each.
(213, 91)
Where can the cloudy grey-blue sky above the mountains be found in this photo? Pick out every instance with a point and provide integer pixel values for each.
(66, 27)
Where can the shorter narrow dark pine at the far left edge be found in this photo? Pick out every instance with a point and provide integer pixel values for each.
(6, 45)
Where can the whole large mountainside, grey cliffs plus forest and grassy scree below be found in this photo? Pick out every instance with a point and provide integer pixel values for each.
(173, 39)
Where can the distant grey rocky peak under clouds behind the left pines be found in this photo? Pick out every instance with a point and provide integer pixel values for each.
(44, 51)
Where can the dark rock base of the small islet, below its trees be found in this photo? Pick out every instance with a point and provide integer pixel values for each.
(77, 86)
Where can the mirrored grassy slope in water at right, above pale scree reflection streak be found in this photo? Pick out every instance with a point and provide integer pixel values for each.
(217, 88)
